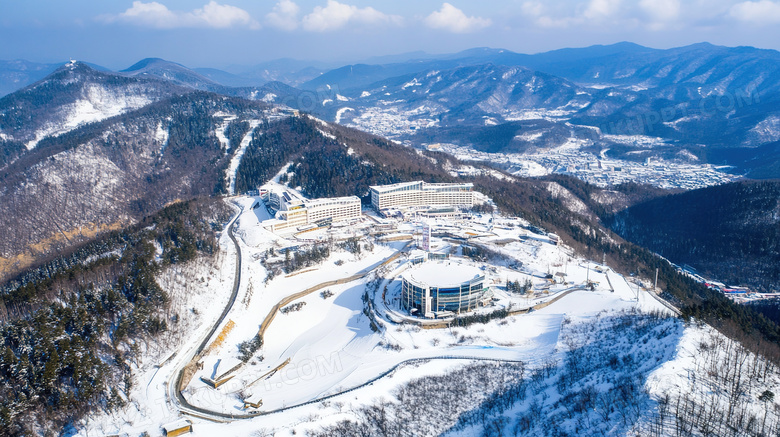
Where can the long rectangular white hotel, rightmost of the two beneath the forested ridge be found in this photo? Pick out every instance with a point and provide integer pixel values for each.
(419, 193)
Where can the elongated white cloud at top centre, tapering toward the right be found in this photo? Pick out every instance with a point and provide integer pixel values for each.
(336, 15)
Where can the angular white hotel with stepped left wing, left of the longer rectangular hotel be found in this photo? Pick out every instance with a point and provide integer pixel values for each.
(294, 212)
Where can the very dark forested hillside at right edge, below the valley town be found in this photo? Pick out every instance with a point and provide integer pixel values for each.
(730, 232)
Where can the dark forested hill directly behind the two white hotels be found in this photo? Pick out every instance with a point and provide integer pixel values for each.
(326, 167)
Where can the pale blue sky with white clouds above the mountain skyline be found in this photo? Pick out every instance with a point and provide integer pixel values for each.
(220, 33)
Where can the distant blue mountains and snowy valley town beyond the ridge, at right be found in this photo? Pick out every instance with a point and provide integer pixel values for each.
(699, 104)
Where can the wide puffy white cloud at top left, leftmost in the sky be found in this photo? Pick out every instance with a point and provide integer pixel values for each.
(212, 15)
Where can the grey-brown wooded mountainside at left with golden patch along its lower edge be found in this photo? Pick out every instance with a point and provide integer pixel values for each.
(108, 174)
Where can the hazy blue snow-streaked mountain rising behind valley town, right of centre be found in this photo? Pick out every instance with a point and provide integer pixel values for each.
(474, 96)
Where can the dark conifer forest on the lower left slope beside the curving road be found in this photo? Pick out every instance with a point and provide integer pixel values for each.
(67, 338)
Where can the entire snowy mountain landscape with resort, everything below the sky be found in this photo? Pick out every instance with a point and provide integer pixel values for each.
(472, 243)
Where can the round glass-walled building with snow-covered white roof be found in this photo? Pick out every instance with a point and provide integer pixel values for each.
(441, 289)
